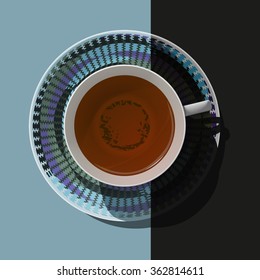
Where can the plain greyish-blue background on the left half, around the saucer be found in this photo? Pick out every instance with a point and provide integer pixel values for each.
(35, 222)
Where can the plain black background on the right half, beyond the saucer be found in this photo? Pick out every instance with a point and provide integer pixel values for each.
(222, 38)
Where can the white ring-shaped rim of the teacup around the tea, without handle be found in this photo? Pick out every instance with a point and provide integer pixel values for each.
(163, 164)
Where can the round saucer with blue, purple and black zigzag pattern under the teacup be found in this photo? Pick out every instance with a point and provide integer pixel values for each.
(58, 84)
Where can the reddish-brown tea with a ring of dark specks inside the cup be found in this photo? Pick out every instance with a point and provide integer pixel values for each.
(124, 125)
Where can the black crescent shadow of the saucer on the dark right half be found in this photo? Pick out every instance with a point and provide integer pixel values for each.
(197, 197)
